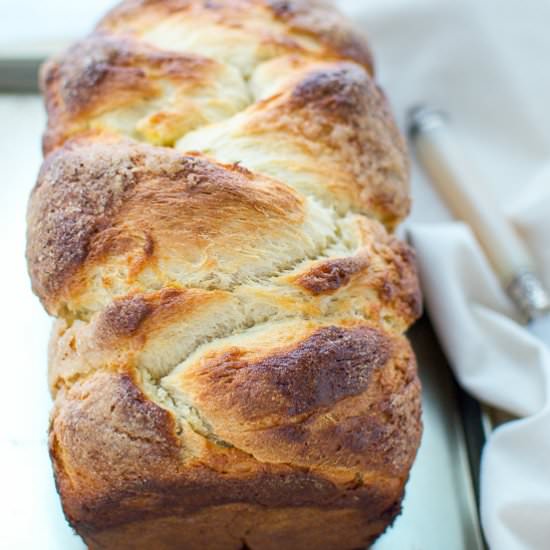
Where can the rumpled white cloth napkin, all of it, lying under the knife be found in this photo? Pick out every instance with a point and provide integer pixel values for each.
(483, 62)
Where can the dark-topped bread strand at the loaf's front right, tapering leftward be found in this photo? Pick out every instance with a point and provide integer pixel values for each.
(334, 397)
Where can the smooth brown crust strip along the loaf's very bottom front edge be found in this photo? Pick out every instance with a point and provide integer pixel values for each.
(238, 526)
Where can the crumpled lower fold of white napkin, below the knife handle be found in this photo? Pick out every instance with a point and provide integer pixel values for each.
(500, 363)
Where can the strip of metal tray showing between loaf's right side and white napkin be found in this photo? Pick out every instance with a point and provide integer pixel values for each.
(440, 509)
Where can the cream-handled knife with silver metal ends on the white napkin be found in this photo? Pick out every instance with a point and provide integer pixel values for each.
(455, 178)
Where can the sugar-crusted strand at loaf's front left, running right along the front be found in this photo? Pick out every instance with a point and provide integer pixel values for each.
(130, 460)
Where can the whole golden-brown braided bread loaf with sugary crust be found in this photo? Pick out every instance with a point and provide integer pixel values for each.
(212, 229)
